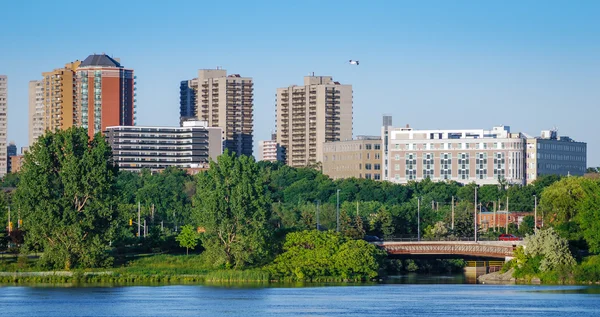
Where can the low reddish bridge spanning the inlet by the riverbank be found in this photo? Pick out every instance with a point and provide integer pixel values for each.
(466, 249)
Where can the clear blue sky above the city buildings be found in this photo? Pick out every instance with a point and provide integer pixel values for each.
(532, 65)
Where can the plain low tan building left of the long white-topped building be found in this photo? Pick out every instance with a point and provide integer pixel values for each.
(360, 158)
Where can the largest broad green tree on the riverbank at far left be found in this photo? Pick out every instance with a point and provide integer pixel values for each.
(66, 194)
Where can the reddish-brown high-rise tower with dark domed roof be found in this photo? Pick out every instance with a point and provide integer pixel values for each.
(105, 94)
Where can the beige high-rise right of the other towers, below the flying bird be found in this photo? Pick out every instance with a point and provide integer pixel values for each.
(310, 115)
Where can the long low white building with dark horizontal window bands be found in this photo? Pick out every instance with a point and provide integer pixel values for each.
(156, 148)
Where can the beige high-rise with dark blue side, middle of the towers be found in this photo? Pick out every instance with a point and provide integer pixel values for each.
(222, 101)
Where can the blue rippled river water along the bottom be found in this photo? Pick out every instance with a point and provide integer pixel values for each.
(311, 300)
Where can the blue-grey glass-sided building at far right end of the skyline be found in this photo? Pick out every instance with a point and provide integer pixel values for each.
(551, 154)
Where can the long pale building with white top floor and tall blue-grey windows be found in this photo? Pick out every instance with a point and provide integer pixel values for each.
(465, 156)
